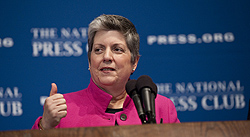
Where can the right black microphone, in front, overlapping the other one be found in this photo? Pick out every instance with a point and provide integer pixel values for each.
(147, 90)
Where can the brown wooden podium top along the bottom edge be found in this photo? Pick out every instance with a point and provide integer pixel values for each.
(189, 129)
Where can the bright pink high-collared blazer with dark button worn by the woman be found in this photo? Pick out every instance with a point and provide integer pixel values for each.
(86, 108)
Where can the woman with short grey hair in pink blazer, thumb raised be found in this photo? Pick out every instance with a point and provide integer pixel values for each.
(113, 56)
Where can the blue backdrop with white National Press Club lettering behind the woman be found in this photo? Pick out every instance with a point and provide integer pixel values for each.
(197, 52)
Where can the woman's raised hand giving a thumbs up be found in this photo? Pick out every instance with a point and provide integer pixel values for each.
(55, 109)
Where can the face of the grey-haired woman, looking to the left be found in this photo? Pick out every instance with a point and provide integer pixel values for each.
(110, 60)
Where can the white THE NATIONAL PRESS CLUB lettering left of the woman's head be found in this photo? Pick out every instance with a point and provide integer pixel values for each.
(51, 42)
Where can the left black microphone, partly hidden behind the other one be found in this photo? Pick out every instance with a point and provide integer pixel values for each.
(132, 92)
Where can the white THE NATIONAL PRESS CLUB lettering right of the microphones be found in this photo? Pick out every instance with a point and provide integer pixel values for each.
(214, 95)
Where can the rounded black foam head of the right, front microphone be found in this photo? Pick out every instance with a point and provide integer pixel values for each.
(145, 81)
